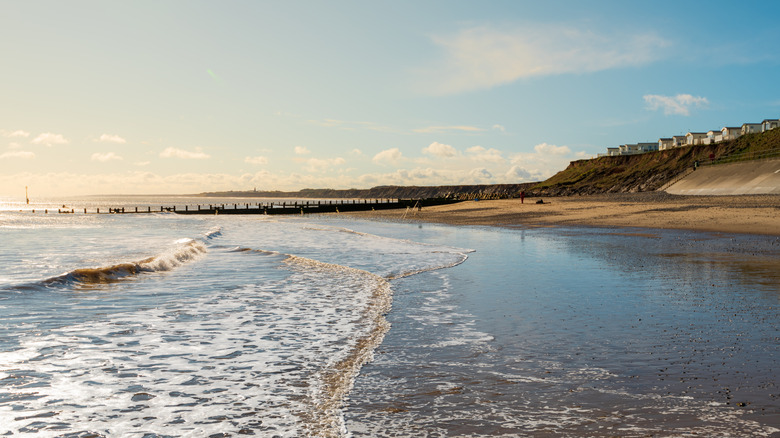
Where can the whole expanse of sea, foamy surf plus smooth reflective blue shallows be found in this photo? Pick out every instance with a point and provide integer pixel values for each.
(167, 325)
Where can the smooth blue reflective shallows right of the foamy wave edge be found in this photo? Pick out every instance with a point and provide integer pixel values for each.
(569, 332)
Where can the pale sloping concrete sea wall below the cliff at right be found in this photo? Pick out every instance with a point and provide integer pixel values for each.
(744, 178)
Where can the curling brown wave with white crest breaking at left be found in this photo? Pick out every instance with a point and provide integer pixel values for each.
(185, 250)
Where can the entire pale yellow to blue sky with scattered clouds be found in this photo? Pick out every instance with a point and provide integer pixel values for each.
(185, 96)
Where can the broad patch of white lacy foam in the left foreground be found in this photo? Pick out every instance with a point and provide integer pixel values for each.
(262, 352)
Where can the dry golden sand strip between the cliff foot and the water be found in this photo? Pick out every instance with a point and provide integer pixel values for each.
(752, 214)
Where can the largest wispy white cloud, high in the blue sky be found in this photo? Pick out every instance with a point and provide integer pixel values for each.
(483, 57)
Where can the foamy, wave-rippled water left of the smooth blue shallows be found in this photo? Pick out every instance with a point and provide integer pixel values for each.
(161, 325)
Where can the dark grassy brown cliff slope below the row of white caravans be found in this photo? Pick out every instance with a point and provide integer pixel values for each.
(650, 171)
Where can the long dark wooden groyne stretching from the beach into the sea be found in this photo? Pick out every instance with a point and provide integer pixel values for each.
(266, 208)
